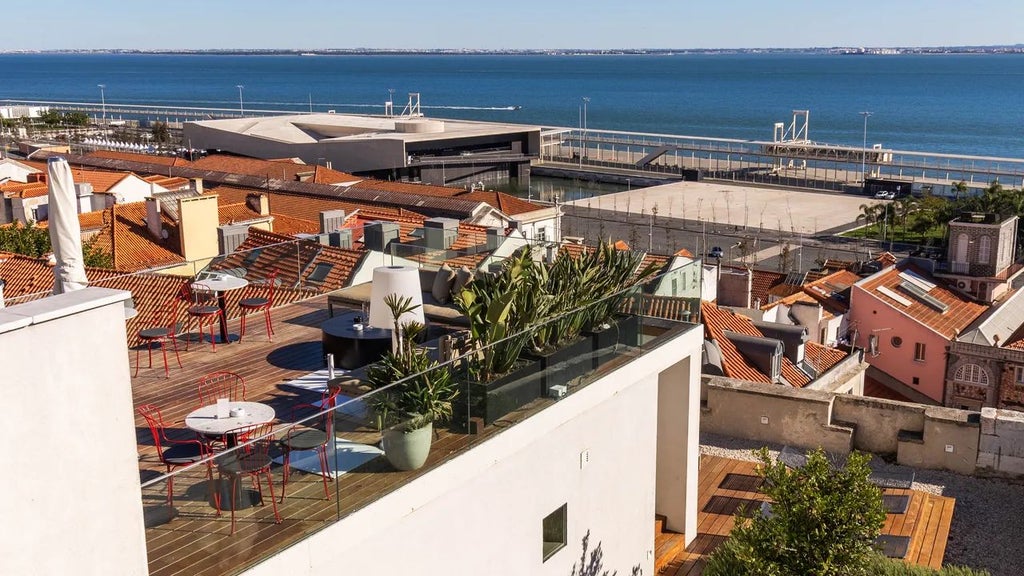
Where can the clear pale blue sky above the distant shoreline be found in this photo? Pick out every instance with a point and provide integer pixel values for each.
(523, 24)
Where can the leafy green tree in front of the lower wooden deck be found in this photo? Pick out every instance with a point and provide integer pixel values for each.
(824, 521)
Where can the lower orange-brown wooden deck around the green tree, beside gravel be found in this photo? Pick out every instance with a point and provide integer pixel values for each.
(727, 484)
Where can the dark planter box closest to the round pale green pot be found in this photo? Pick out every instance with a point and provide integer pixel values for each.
(496, 398)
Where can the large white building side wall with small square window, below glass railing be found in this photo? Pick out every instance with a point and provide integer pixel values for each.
(482, 513)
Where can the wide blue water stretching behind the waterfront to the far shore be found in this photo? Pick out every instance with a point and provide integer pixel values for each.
(953, 104)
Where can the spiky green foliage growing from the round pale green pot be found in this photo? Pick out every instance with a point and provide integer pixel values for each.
(428, 394)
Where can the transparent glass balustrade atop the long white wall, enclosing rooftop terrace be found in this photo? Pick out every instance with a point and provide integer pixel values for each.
(483, 406)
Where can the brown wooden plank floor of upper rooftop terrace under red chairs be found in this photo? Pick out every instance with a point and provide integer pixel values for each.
(198, 542)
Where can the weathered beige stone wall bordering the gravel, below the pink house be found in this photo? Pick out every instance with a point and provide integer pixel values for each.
(920, 436)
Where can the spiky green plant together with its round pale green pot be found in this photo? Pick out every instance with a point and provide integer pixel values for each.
(422, 396)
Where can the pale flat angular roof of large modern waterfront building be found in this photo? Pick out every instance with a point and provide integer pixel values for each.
(311, 129)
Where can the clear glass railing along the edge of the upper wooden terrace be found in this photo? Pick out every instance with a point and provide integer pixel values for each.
(369, 438)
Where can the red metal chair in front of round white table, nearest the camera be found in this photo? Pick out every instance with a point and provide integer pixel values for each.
(252, 460)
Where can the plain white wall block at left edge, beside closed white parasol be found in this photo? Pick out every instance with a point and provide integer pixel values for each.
(72, 486)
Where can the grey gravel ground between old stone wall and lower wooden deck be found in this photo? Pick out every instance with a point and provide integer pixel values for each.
(988, 529)
